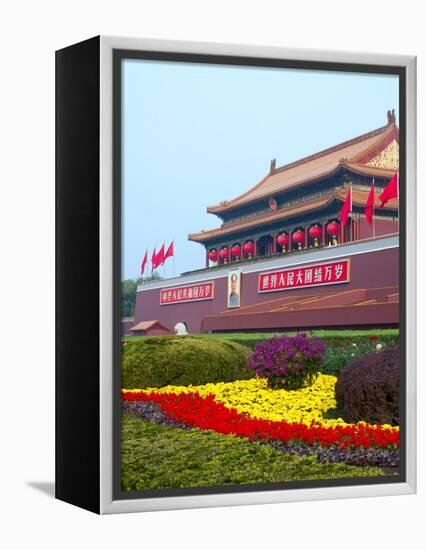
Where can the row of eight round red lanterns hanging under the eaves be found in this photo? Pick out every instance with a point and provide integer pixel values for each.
(298, 236)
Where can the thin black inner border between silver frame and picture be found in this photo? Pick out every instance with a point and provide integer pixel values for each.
(120, 55)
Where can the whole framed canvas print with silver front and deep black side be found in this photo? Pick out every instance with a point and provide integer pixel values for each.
(235, 274)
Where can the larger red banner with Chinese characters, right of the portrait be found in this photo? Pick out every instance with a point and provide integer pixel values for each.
(300, 277)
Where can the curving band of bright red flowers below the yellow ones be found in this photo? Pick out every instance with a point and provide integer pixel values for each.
(207, 414)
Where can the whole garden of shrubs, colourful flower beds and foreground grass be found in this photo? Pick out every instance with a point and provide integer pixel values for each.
(278, 417)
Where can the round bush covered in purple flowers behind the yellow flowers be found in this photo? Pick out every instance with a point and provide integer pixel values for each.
(289, 362)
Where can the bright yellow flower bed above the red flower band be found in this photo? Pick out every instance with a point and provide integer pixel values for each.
(255, 398)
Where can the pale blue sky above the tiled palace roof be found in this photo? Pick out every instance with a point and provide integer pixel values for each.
(195, 135)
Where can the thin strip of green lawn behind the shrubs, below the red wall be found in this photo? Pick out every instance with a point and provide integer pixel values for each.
(265, 335)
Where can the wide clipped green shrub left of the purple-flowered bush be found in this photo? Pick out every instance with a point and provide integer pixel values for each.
(182, 361)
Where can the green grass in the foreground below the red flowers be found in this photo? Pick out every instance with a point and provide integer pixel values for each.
(158, 457)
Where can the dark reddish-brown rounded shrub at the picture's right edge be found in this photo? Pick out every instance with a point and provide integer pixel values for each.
(368, 389)
